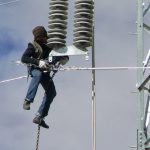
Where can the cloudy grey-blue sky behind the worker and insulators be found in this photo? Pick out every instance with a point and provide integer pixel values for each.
(70, 115)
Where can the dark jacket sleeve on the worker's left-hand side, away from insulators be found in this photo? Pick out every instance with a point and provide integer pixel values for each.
(28, 56)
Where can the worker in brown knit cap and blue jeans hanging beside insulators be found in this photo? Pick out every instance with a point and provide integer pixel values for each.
(34, 56)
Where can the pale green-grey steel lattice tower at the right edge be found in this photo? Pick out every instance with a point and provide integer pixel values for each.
(142, 81)
